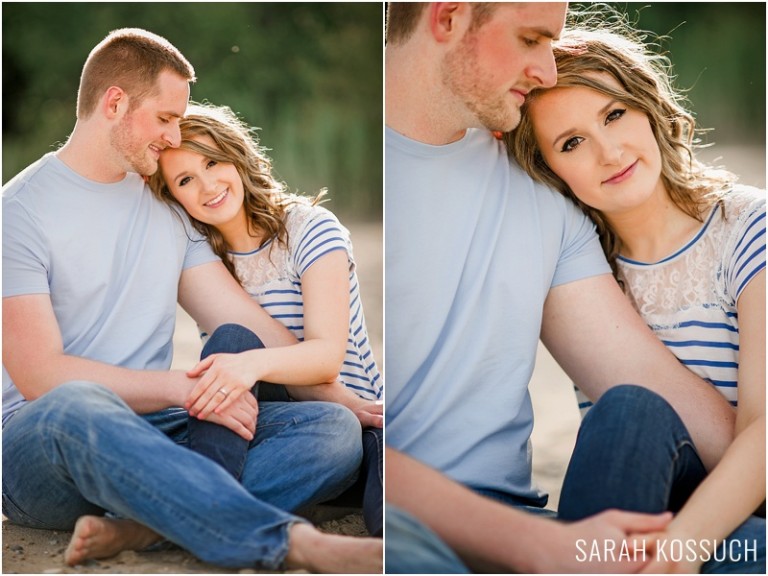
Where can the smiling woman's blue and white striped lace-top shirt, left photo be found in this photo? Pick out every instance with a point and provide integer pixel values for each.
(272, 275)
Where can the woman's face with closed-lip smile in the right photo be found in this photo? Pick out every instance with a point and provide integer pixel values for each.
(602, 149)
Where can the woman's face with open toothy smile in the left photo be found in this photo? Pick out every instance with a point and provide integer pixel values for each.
(211, 192)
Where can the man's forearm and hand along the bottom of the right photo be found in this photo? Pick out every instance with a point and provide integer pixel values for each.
(493, 537)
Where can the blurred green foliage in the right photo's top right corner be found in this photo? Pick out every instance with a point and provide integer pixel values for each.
(717, 50)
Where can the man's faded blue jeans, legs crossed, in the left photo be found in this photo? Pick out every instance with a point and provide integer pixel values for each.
(79, 449)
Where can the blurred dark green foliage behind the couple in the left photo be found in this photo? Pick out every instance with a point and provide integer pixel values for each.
(309, 75)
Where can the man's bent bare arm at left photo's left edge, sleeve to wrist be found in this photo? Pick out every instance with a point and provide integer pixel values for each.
(33, 355)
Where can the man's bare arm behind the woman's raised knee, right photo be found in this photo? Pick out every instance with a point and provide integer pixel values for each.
(599, 340)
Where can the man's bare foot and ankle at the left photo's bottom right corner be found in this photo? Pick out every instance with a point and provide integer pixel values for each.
(323, 553)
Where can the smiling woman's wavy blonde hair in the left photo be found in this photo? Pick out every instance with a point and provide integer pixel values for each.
(266, 199)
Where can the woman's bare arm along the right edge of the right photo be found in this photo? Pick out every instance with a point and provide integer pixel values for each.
(736, 487)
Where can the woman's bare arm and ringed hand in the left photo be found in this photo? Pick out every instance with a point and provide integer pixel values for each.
(316, 360)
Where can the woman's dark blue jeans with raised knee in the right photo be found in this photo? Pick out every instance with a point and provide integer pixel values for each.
(634, 453)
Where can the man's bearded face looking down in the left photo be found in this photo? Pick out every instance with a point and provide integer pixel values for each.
(152, 126)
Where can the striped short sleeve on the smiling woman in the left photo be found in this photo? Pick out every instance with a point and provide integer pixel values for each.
(323, 233)
